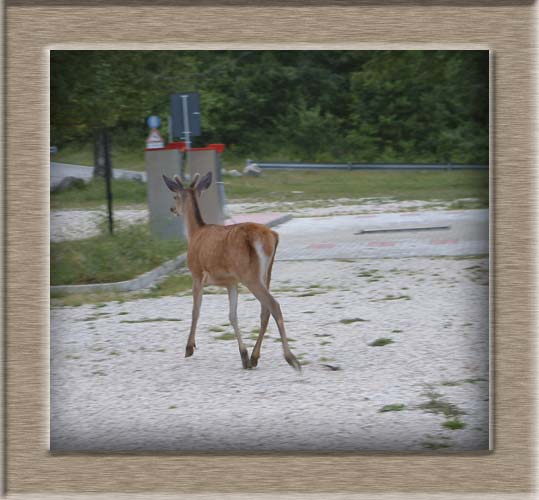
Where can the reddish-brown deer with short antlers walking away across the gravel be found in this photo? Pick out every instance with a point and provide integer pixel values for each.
(226, 256)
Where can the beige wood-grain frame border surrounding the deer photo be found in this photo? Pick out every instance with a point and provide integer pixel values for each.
(507, 30)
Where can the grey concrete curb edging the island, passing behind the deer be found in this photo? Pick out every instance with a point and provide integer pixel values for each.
(144, 280)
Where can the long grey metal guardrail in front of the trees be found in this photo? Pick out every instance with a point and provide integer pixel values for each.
(364, 166)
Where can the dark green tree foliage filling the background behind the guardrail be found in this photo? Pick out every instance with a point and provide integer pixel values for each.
(398, 106)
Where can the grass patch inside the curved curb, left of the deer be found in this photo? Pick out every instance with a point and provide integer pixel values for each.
(105, 258)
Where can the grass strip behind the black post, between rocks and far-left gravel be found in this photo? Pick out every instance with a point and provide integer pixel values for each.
(93, 194)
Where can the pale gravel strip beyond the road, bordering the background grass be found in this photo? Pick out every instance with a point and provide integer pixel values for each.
(77, 224)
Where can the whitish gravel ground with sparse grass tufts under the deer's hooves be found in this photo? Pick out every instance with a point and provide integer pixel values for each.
(119, 380)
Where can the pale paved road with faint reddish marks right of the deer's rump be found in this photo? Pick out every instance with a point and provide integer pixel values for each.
(341, 237)
